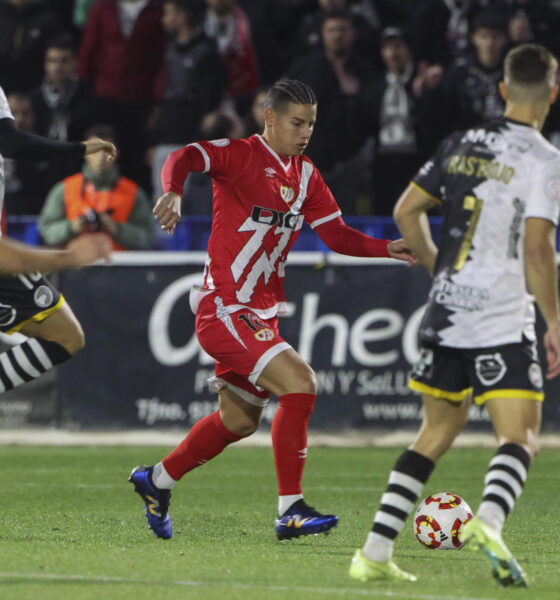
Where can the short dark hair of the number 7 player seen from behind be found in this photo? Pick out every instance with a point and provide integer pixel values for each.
(532, 68)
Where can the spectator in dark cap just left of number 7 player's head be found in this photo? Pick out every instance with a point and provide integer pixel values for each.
(469, 93)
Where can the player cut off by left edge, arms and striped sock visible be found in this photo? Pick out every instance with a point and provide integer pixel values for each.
(28, 302)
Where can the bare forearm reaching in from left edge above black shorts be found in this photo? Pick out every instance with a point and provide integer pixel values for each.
(16, 258)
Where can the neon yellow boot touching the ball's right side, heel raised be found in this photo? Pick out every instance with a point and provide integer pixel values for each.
(505, 569)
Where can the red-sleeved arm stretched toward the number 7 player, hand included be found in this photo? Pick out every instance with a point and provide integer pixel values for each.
(343, 239)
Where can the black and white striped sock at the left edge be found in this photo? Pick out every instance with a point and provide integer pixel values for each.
(29, 360)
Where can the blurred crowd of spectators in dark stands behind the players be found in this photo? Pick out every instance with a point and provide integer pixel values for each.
(392, 78)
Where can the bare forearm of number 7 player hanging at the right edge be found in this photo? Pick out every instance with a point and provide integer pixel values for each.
(542, 278)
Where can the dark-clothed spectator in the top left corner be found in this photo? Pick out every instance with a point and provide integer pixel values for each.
(25, 25)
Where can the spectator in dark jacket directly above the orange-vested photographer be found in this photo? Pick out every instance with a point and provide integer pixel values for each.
(64, 107)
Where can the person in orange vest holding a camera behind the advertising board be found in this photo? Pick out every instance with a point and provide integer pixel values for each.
(98, 199)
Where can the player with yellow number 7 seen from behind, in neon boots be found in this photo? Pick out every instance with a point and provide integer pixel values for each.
(499, 186)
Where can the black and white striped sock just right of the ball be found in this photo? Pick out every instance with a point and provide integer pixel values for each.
(503, 484)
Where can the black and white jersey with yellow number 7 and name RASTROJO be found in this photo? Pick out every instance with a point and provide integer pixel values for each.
(489, 180)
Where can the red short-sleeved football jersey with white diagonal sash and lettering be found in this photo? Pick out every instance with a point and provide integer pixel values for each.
(260, 203)
